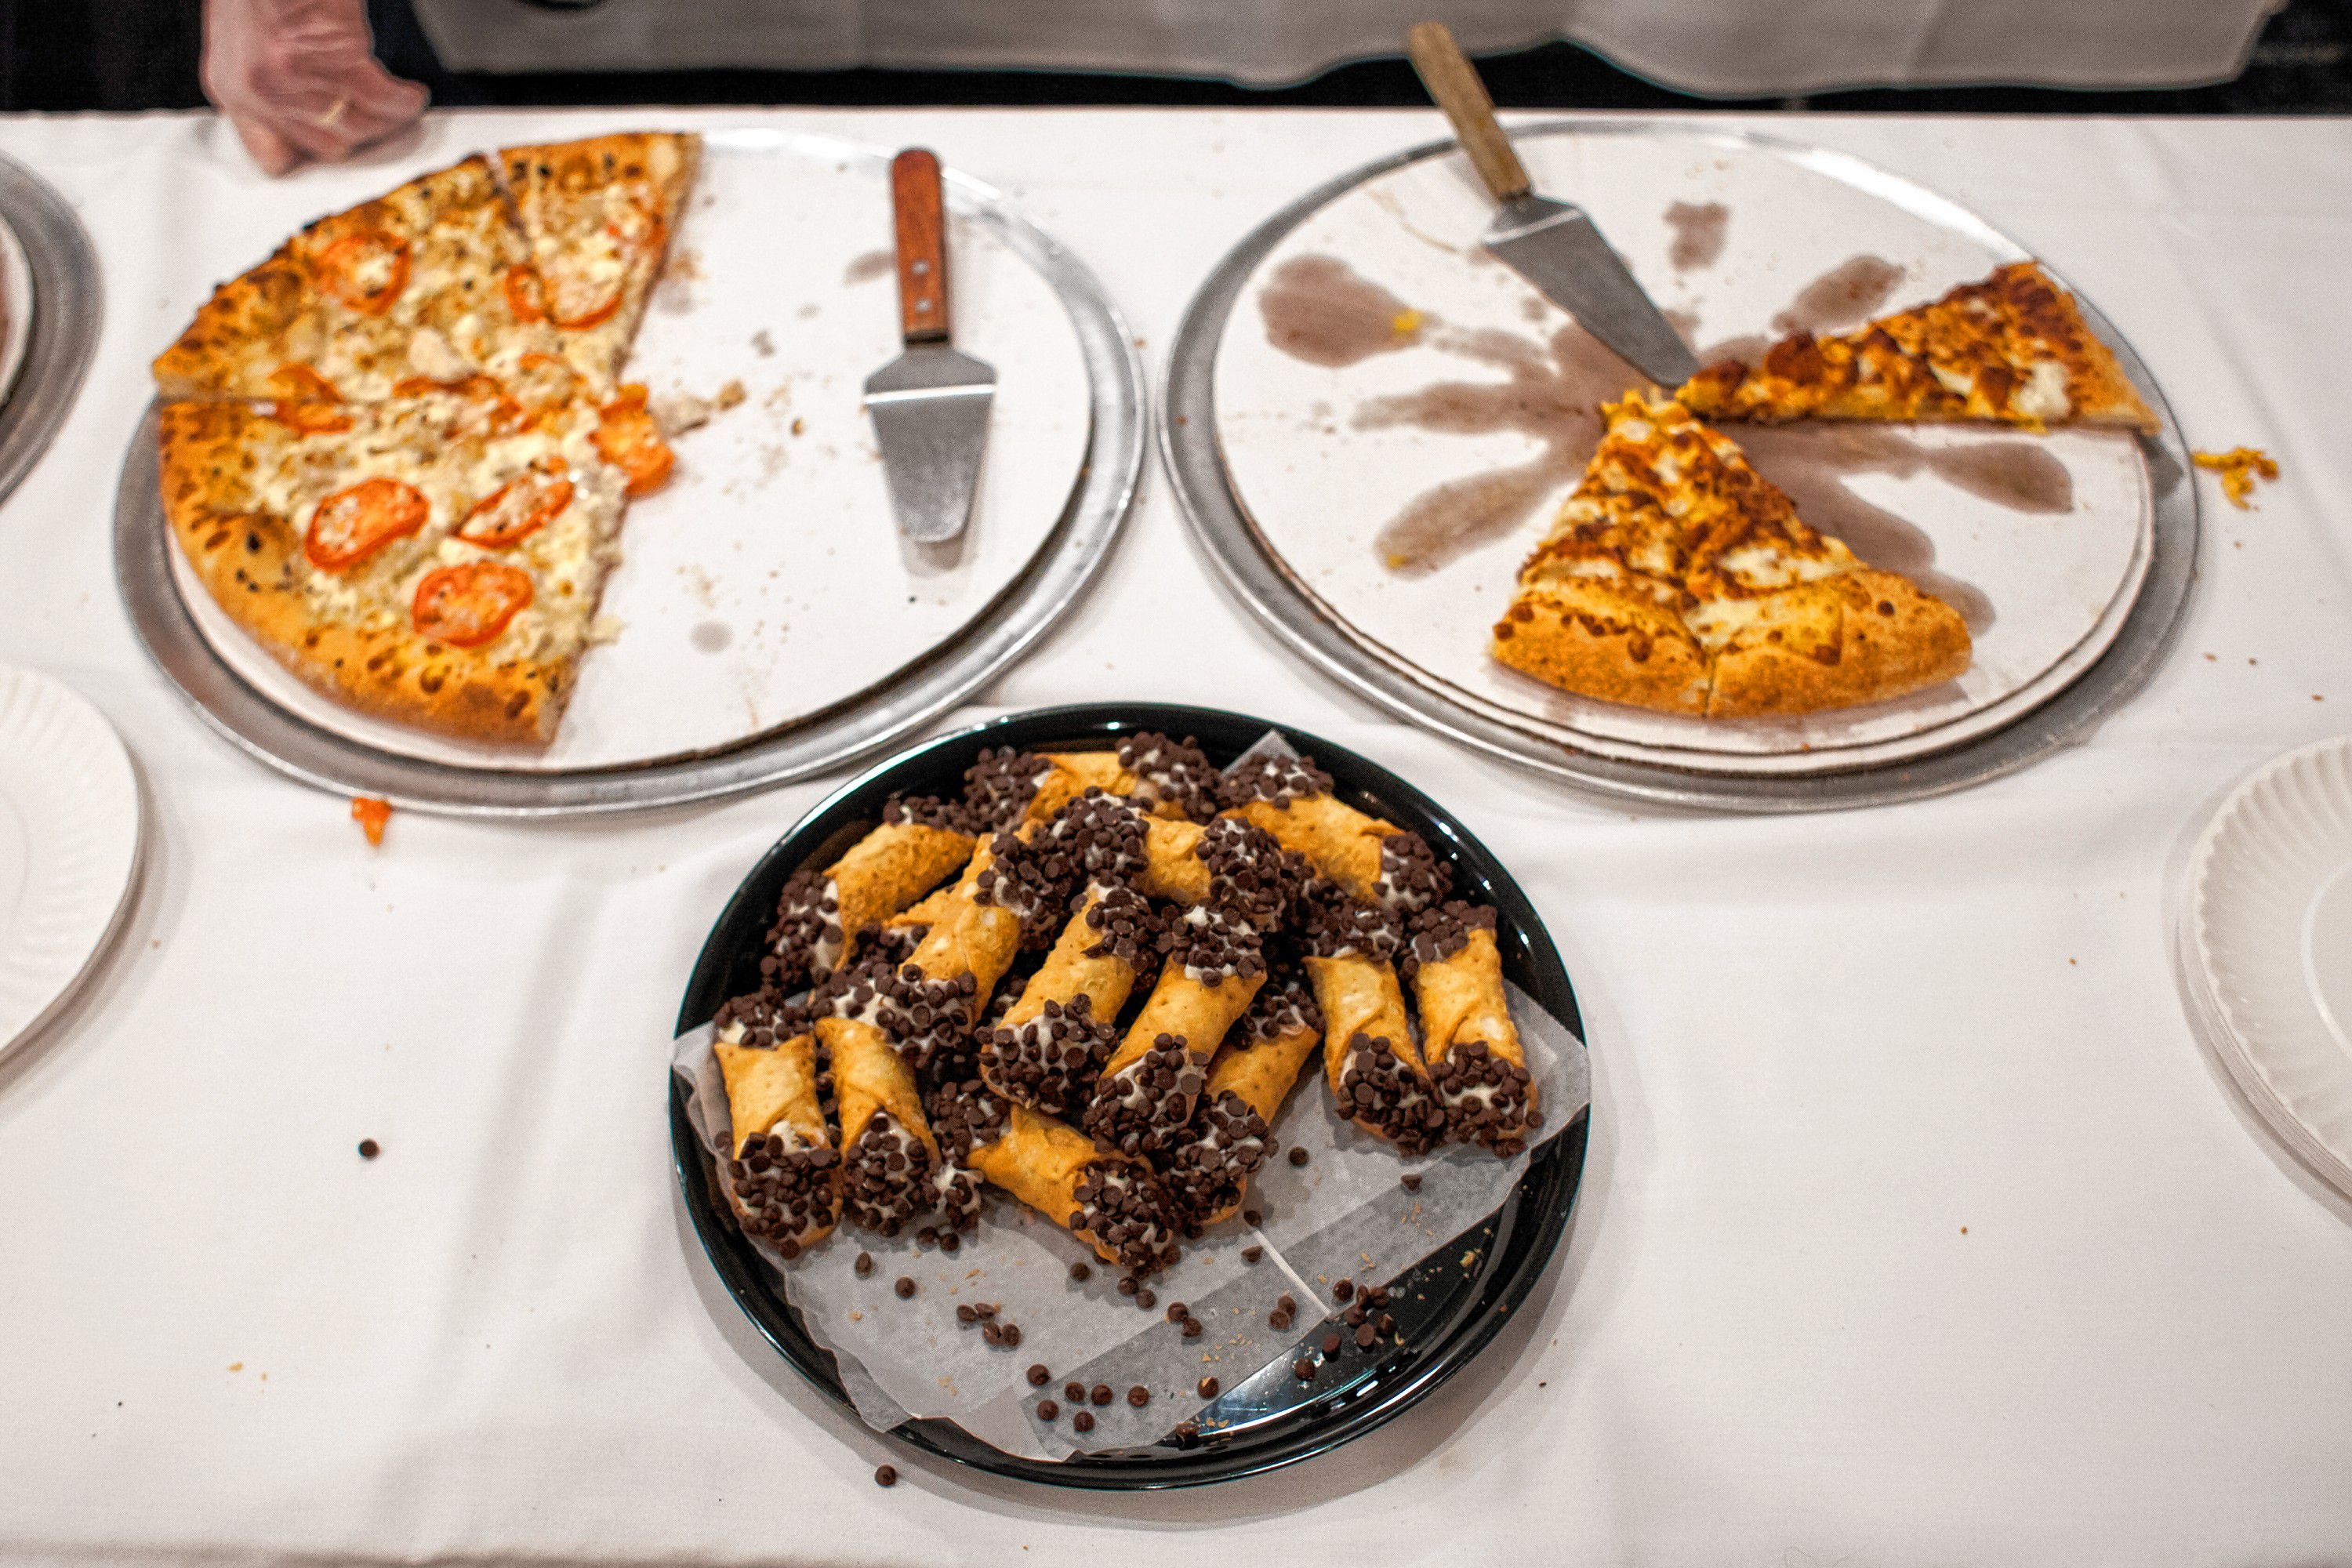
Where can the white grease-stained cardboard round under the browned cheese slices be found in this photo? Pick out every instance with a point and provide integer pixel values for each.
(1318, 474)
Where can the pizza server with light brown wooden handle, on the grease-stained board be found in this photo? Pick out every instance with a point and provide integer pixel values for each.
(1551, 246)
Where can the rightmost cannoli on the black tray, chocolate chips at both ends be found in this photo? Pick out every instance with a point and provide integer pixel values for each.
(1466, 1036)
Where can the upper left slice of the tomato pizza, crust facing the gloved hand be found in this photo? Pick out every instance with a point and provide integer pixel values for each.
(403, 288)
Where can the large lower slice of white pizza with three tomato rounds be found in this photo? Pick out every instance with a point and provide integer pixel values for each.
(432, 561)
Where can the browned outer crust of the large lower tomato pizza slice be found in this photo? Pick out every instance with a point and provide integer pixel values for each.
(248, 558)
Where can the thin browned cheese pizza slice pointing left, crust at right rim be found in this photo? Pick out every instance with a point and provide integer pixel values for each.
(2012, 349)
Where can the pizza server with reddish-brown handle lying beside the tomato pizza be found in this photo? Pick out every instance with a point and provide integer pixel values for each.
(930, 406)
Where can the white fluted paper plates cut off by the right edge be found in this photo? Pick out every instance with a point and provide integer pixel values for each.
(2266, 949)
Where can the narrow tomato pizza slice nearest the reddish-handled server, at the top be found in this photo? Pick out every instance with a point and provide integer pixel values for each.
(599, 220)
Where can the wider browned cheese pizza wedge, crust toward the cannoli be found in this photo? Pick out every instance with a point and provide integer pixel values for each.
(1681, 579)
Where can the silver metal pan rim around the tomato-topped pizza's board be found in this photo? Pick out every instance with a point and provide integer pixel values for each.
(1064, 565)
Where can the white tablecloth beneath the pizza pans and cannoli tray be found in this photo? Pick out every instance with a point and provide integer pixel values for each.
(1918, 1231)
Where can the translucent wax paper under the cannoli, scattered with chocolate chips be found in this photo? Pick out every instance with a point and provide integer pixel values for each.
(1344, 1214)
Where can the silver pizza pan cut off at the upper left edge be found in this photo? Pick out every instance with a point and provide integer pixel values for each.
(53, 302)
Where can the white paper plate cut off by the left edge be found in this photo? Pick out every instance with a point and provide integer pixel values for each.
(69, 845)
